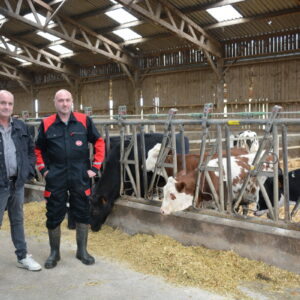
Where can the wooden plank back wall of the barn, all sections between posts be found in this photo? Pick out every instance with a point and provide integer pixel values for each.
(275, 82)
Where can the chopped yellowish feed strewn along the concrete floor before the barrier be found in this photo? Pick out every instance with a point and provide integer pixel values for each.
(216, 271)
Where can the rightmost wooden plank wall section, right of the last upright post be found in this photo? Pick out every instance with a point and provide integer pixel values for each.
(272, 82)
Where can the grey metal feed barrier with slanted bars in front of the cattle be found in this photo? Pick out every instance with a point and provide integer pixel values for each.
(224, 206)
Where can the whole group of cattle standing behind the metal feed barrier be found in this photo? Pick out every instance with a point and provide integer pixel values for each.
(179, 189)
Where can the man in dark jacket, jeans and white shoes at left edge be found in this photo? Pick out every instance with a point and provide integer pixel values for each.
(17, 161)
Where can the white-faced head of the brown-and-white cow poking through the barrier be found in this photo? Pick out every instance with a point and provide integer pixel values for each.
(178, 193)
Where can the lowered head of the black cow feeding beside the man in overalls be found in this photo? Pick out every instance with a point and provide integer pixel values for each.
(100, 208)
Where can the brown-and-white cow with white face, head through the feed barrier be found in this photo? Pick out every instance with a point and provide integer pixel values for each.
(179, 191)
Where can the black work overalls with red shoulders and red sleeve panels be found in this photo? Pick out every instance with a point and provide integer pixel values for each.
(62, 149)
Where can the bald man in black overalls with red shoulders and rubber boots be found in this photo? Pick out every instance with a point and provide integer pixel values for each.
(63, 159)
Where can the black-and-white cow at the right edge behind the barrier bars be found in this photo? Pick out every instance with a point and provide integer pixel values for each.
(294, 192)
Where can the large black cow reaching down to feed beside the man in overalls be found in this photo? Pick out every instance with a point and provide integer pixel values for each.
(107, 189)
